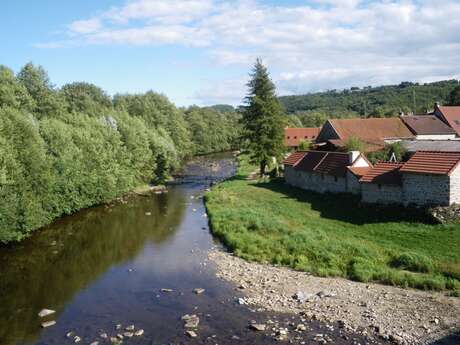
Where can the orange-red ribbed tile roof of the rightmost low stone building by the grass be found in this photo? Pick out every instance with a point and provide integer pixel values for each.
(432, 162)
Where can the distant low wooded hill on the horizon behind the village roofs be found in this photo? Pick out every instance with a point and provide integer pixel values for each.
(370, 101)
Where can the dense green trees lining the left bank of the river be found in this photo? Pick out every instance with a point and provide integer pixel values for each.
(64, 149)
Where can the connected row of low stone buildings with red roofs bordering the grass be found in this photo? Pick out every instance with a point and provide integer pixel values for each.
(428, 178)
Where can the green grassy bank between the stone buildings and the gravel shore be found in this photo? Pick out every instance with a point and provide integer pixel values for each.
(333, 235)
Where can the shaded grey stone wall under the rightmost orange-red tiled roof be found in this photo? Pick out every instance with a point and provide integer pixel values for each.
(425, 190)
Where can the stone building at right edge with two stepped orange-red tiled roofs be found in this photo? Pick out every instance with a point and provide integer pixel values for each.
(428, 178)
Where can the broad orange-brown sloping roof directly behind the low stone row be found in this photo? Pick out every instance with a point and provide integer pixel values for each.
(374, 129)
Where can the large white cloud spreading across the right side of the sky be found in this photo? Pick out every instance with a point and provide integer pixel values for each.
(331, 44)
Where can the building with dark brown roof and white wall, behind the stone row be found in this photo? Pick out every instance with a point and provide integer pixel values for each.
(428, 127)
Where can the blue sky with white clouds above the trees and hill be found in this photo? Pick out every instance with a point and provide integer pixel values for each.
(200, 51)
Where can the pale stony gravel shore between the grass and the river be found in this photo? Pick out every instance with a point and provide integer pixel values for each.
(404, 316)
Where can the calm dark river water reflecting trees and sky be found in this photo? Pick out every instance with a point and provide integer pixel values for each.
(107, 265)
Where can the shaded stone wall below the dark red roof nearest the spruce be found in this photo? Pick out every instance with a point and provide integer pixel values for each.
(320, 183)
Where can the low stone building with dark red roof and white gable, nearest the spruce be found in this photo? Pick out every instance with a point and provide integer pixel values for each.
(321, 171)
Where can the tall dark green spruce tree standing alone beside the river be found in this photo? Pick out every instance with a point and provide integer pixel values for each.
(262, 119)
